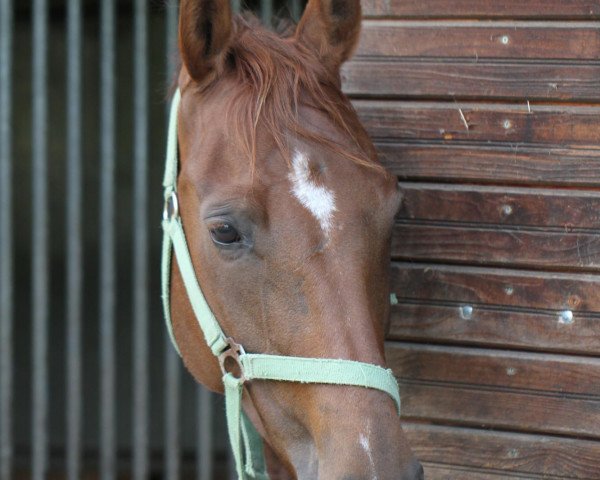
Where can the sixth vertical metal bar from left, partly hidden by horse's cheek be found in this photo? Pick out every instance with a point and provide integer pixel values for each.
(172, 362)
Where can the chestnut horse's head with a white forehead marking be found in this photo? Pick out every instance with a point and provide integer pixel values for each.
(288, 219)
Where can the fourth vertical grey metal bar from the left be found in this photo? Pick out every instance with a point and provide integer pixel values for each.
(107, 243)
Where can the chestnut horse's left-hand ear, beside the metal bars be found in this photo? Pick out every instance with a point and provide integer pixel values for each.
(204, 35)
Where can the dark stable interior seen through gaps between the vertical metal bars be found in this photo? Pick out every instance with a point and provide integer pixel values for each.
(159, 81)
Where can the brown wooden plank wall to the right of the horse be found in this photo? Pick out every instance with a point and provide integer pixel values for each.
(489, 113)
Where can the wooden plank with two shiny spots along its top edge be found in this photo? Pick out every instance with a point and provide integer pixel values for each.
(497, 327)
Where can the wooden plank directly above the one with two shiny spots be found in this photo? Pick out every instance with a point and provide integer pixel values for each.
(497, 287)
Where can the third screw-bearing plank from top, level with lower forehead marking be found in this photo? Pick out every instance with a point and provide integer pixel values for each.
(549, 207)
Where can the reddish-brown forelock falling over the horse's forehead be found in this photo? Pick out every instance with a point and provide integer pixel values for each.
(274, 75)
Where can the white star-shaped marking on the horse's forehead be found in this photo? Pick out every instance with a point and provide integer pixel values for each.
(317, 199)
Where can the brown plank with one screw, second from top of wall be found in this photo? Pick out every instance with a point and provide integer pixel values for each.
(474, 40)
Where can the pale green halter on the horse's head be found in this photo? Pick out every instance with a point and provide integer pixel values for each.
(246, 443)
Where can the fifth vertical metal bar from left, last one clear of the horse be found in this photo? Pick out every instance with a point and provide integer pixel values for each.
(140, 242)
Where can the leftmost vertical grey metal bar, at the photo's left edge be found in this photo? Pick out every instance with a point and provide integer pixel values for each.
(6, 242)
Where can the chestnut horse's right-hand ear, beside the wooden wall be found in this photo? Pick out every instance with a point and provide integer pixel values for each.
(331, 28)
